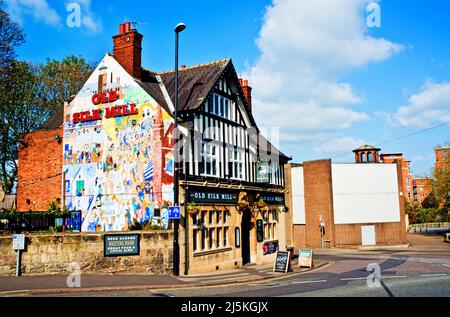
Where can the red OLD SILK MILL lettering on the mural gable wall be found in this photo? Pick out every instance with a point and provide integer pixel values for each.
(108, 112)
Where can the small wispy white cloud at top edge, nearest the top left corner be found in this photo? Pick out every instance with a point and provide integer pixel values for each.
(40, 10)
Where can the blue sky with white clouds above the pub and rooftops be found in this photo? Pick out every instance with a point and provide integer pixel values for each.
(327, 76)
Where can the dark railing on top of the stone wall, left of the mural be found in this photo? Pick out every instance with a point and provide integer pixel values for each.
(39, 221)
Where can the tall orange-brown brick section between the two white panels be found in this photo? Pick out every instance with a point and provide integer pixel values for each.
(318, 201)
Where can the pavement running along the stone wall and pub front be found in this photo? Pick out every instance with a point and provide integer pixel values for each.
(57, 284)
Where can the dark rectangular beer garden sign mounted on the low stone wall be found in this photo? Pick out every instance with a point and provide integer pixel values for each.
(121, 244)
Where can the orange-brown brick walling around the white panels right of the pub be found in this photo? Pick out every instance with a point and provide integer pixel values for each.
(319, 201)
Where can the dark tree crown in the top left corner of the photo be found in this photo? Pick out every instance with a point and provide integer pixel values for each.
(11, 36)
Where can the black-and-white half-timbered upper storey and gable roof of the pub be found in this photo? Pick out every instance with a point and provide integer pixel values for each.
(224, 140)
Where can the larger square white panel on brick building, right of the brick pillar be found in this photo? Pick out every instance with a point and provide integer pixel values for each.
(365, 193)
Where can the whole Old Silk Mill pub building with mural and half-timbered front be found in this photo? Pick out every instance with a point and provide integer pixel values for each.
(117, 159)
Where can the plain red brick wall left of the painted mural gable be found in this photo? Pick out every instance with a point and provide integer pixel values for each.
(40, 168)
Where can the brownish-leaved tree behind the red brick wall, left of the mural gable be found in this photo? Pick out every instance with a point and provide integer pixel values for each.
(29, 95)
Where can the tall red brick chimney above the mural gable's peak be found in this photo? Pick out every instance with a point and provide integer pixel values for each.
(128, 49)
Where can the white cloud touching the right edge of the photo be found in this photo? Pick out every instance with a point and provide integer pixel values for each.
(430, 106)
